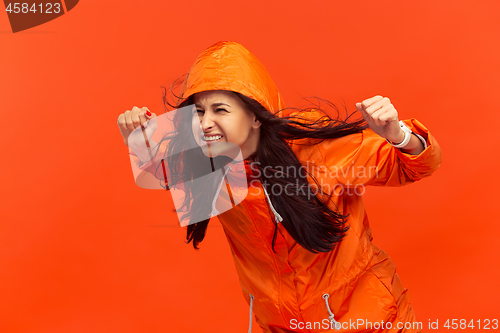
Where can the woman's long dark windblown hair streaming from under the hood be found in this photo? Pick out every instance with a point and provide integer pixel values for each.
(306, 217)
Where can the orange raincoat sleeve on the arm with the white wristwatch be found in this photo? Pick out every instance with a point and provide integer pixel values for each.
(368, 159)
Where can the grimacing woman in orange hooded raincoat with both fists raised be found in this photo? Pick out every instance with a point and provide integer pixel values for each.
(300, 239)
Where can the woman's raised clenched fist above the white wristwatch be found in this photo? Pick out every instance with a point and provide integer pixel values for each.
(382, 117)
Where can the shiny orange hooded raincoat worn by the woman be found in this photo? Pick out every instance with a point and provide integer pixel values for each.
(294, 290)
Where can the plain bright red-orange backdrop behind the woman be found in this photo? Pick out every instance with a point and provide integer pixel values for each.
(83, 249)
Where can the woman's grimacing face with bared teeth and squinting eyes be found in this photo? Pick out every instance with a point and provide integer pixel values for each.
(223, 122)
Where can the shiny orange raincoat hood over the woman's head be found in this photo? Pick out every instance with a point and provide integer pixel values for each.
(230, 66)
